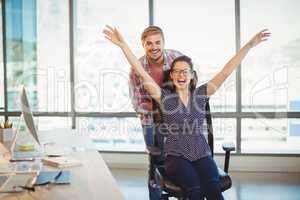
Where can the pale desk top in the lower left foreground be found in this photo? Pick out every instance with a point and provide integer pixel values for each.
(92, 180)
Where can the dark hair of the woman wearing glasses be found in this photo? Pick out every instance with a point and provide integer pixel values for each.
(168, 83)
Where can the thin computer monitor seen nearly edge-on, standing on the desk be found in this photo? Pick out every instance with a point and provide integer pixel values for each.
(27, 114)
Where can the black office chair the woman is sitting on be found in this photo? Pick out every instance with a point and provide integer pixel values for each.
(167, 187)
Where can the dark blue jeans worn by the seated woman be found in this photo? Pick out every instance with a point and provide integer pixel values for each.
(198, 178)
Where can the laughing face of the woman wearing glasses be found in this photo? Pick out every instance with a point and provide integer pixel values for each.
(181, 75)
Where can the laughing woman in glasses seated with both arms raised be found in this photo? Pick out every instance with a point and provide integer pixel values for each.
(188, 161)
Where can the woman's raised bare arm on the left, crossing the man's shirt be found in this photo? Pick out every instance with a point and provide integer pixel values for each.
(113, 35)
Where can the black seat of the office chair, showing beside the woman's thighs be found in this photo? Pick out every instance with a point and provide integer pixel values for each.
(174, 190)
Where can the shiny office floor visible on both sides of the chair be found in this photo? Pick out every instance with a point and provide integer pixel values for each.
(246, 186)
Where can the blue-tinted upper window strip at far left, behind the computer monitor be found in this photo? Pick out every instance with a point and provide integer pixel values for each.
(21, 51)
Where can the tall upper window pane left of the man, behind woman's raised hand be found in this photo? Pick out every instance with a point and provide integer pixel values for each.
(101, 78)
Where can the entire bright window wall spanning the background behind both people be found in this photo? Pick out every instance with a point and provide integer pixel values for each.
(38, 56)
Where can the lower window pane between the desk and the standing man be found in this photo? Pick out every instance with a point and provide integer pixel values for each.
(113, 134)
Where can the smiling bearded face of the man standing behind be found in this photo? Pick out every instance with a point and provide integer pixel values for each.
(153, 46)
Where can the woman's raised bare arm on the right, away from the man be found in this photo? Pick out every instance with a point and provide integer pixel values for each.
(219, 79)
